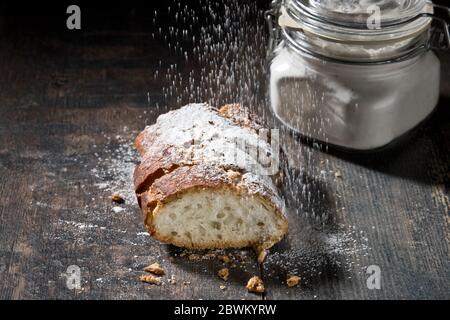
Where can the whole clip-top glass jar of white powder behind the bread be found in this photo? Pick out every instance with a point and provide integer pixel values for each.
(355, 73)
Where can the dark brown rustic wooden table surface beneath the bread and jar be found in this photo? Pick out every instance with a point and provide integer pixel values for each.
(71, 104)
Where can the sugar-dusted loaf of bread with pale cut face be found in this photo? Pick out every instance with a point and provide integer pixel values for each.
(199, 184)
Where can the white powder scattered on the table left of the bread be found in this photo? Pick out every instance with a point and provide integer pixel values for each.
(110, 215)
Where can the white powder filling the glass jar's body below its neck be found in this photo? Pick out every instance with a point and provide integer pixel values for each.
(355, 106)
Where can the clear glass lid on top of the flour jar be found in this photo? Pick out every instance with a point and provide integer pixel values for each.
(349, 20)
